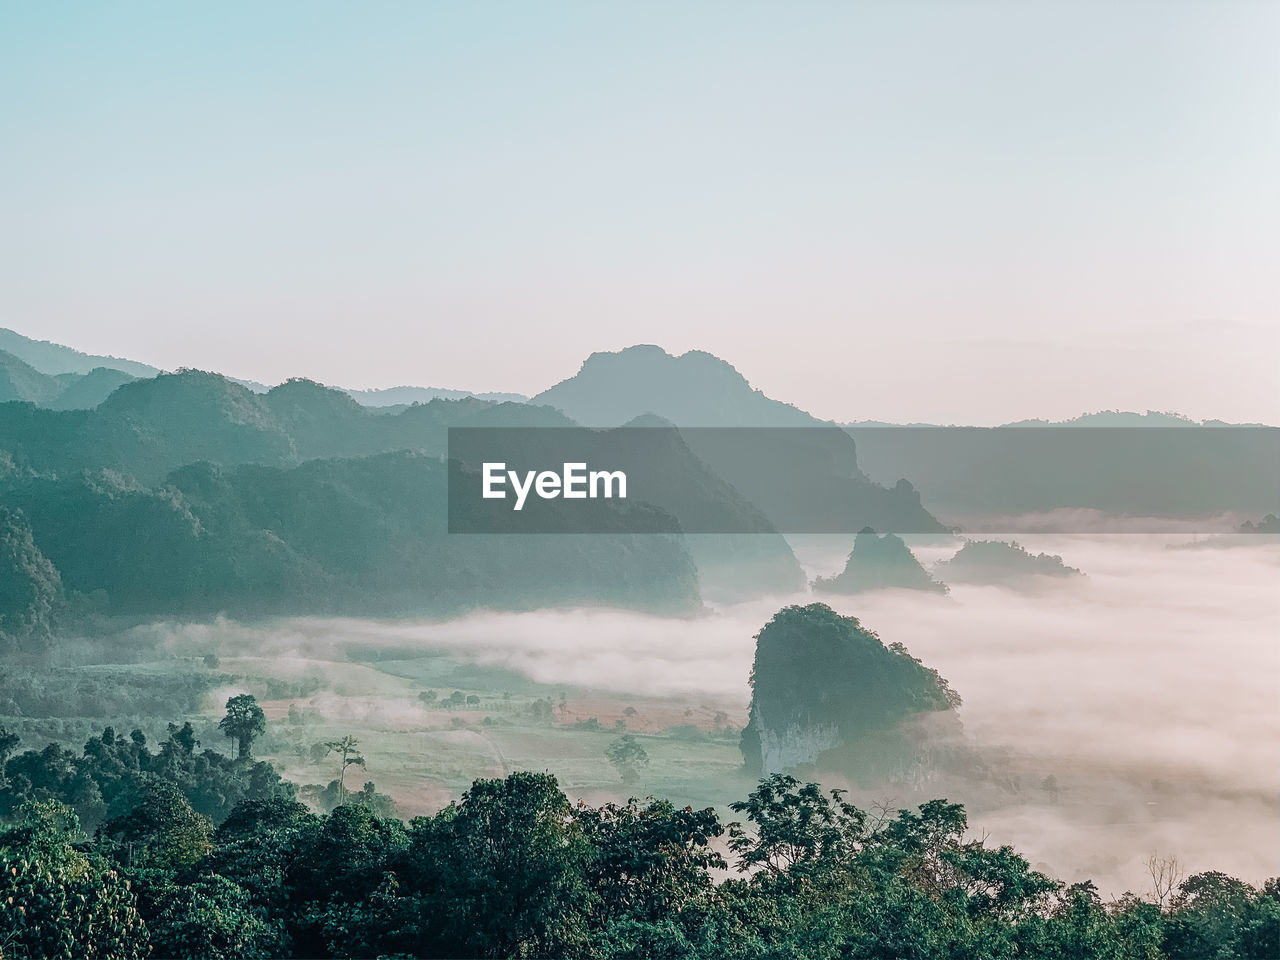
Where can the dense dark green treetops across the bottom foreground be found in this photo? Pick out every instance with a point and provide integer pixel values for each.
(515, 870)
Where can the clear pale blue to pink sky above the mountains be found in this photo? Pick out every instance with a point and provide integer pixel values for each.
(940, 212)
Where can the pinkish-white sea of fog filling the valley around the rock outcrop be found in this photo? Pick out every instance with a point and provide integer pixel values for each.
(1150, 689)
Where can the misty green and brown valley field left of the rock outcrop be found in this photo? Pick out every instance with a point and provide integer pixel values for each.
(422, 753)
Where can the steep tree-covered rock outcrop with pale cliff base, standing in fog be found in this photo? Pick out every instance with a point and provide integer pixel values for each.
(826, 689)
